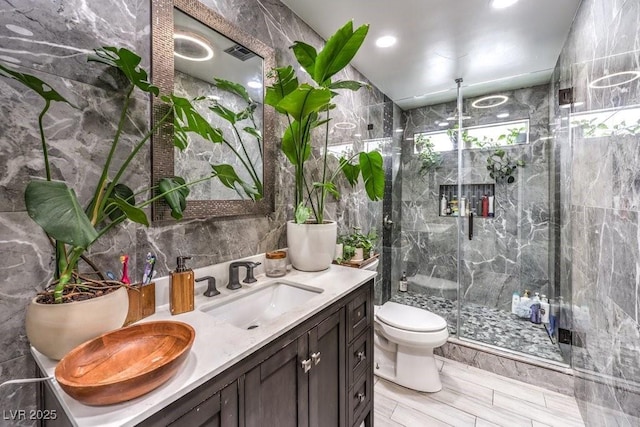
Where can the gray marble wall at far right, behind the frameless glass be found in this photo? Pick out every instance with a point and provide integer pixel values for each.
(601, 204)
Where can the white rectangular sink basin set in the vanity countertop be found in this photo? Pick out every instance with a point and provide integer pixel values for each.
(258, 306)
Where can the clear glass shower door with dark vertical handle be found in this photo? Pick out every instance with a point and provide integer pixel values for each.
(505, 231)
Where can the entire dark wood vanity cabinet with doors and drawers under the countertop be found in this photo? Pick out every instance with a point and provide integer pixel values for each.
(319, 374)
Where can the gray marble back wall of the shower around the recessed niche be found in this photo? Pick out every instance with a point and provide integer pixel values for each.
(509, 252)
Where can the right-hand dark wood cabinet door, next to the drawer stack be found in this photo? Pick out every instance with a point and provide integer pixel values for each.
(327, 379)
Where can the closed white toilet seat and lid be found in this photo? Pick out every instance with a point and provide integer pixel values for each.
(409, 318)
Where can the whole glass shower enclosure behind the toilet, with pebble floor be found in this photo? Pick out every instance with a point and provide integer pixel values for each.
(477, 198)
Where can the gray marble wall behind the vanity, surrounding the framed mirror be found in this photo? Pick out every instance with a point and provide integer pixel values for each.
(52, 40)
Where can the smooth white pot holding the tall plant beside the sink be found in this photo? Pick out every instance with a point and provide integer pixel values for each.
(311, 246)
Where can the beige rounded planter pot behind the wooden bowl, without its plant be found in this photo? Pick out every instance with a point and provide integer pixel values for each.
(55, 329)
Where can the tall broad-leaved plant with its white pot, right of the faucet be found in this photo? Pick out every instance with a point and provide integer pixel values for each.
(311, 239)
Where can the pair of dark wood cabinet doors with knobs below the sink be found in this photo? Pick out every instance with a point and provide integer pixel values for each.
(291, 387)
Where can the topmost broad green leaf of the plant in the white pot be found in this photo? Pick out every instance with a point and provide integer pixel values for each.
(338, 52)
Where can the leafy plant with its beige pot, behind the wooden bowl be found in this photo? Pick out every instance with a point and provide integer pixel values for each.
(72, 226)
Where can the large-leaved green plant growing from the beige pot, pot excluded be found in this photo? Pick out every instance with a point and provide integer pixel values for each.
(73, 226)
